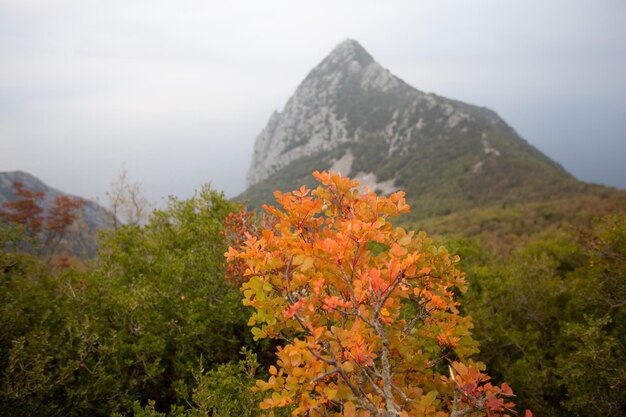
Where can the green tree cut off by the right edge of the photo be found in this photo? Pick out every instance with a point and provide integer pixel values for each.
(592, 368)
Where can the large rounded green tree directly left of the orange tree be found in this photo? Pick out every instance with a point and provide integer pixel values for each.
(166, 303)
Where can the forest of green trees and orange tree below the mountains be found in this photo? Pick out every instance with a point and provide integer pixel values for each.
(315, 306)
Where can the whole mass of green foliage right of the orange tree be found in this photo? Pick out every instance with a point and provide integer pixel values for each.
(551, 320)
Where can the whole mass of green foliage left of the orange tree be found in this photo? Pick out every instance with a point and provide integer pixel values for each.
(130, 330)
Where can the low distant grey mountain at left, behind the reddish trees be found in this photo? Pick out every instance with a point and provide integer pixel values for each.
(93, 217)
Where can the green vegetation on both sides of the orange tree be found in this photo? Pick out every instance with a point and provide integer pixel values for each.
(153, 328)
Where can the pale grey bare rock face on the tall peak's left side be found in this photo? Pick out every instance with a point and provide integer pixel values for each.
(310, 121)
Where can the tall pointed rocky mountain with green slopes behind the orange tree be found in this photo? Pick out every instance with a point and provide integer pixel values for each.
(353, 116)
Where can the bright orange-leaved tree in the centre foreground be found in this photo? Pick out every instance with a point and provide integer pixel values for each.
(365, 310)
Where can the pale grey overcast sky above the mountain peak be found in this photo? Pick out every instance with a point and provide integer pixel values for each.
(179, 90)
